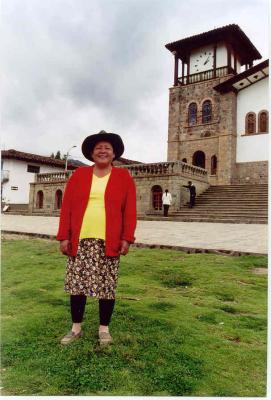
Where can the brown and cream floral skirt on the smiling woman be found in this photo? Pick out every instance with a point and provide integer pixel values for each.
(91, 272)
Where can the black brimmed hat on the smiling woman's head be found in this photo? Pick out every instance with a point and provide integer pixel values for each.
(90, 142)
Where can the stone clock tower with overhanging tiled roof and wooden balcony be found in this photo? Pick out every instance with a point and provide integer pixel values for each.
(202, 121)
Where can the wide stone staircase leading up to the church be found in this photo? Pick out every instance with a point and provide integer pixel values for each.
(227, 204)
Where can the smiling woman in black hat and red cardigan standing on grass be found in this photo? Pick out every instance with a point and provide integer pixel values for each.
(97, 225)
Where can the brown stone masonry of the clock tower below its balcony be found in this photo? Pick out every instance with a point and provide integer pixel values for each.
(215, 138)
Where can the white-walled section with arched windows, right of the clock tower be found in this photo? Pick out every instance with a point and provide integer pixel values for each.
(251, 88)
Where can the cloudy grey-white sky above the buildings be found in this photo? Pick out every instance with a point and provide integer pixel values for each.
(75, 67)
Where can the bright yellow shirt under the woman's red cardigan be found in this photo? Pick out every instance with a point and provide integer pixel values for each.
(93, 225)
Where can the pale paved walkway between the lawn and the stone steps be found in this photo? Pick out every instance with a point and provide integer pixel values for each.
(249, 238)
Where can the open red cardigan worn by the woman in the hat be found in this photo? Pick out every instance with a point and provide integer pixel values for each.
(120, 208)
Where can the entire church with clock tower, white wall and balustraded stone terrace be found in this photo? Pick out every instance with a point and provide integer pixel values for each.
(217, 125)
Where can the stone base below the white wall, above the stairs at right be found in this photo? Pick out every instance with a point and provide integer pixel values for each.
(252, 172)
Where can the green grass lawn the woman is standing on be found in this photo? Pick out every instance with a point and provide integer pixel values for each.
(183, 325)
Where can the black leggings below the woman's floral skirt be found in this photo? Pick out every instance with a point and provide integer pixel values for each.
(78, 303)
